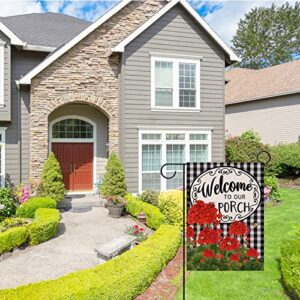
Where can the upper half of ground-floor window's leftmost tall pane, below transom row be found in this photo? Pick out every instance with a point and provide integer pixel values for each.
(151, 157)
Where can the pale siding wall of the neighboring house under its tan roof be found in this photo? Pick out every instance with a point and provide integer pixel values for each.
(277, 120)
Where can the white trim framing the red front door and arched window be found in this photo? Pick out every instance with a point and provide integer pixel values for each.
(66, 140)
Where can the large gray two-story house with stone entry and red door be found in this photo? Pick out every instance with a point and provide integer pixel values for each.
(145, 80)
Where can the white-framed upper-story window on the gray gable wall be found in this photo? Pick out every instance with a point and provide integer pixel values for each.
(175, 83)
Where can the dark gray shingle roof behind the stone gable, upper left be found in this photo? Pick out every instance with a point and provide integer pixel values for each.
(45, 29)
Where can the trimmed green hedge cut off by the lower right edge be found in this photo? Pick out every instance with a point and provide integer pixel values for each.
(290, 267)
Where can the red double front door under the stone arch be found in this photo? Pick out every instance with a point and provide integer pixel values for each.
(76, 162)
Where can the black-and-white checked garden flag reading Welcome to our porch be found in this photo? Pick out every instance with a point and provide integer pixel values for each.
(225, 216)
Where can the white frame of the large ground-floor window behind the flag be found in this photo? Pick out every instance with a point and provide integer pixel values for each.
(187, 142)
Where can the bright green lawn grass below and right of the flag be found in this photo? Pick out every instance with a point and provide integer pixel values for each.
(264, 285)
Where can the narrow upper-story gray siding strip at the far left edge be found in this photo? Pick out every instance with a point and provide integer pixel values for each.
(5, 114)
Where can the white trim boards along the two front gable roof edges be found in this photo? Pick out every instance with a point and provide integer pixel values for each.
(26, 80)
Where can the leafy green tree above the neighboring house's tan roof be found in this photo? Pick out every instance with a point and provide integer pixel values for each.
(268, 36)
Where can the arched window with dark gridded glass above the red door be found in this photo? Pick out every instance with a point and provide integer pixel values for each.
(72, 129)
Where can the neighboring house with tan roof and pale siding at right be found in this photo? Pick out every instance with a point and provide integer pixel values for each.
(266, 101)
